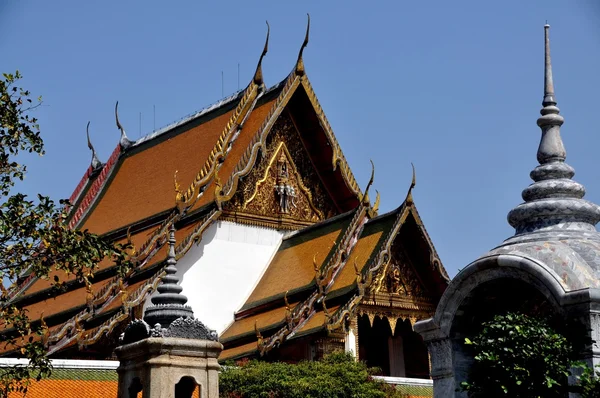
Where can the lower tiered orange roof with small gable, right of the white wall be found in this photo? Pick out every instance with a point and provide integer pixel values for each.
(321, 274)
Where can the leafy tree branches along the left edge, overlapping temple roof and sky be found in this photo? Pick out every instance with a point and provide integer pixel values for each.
(34, 238)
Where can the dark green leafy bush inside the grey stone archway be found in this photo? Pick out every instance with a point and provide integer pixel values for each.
(518, 356)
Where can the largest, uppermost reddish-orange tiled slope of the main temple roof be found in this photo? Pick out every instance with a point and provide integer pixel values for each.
(142, 185)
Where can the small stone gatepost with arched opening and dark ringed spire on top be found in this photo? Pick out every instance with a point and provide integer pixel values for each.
(177, 357)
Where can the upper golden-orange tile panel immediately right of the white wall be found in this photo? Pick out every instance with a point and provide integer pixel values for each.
(292, 266)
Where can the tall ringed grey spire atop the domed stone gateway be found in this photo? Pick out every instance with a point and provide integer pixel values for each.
(554, 202)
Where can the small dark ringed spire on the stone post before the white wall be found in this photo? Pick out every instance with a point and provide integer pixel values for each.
(169, 304)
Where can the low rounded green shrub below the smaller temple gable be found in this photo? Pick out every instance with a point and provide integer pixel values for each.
(337, 375)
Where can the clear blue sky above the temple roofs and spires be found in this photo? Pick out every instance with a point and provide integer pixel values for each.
(454, 87)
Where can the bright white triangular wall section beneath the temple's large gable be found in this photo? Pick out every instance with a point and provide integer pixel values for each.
(219, 273)
